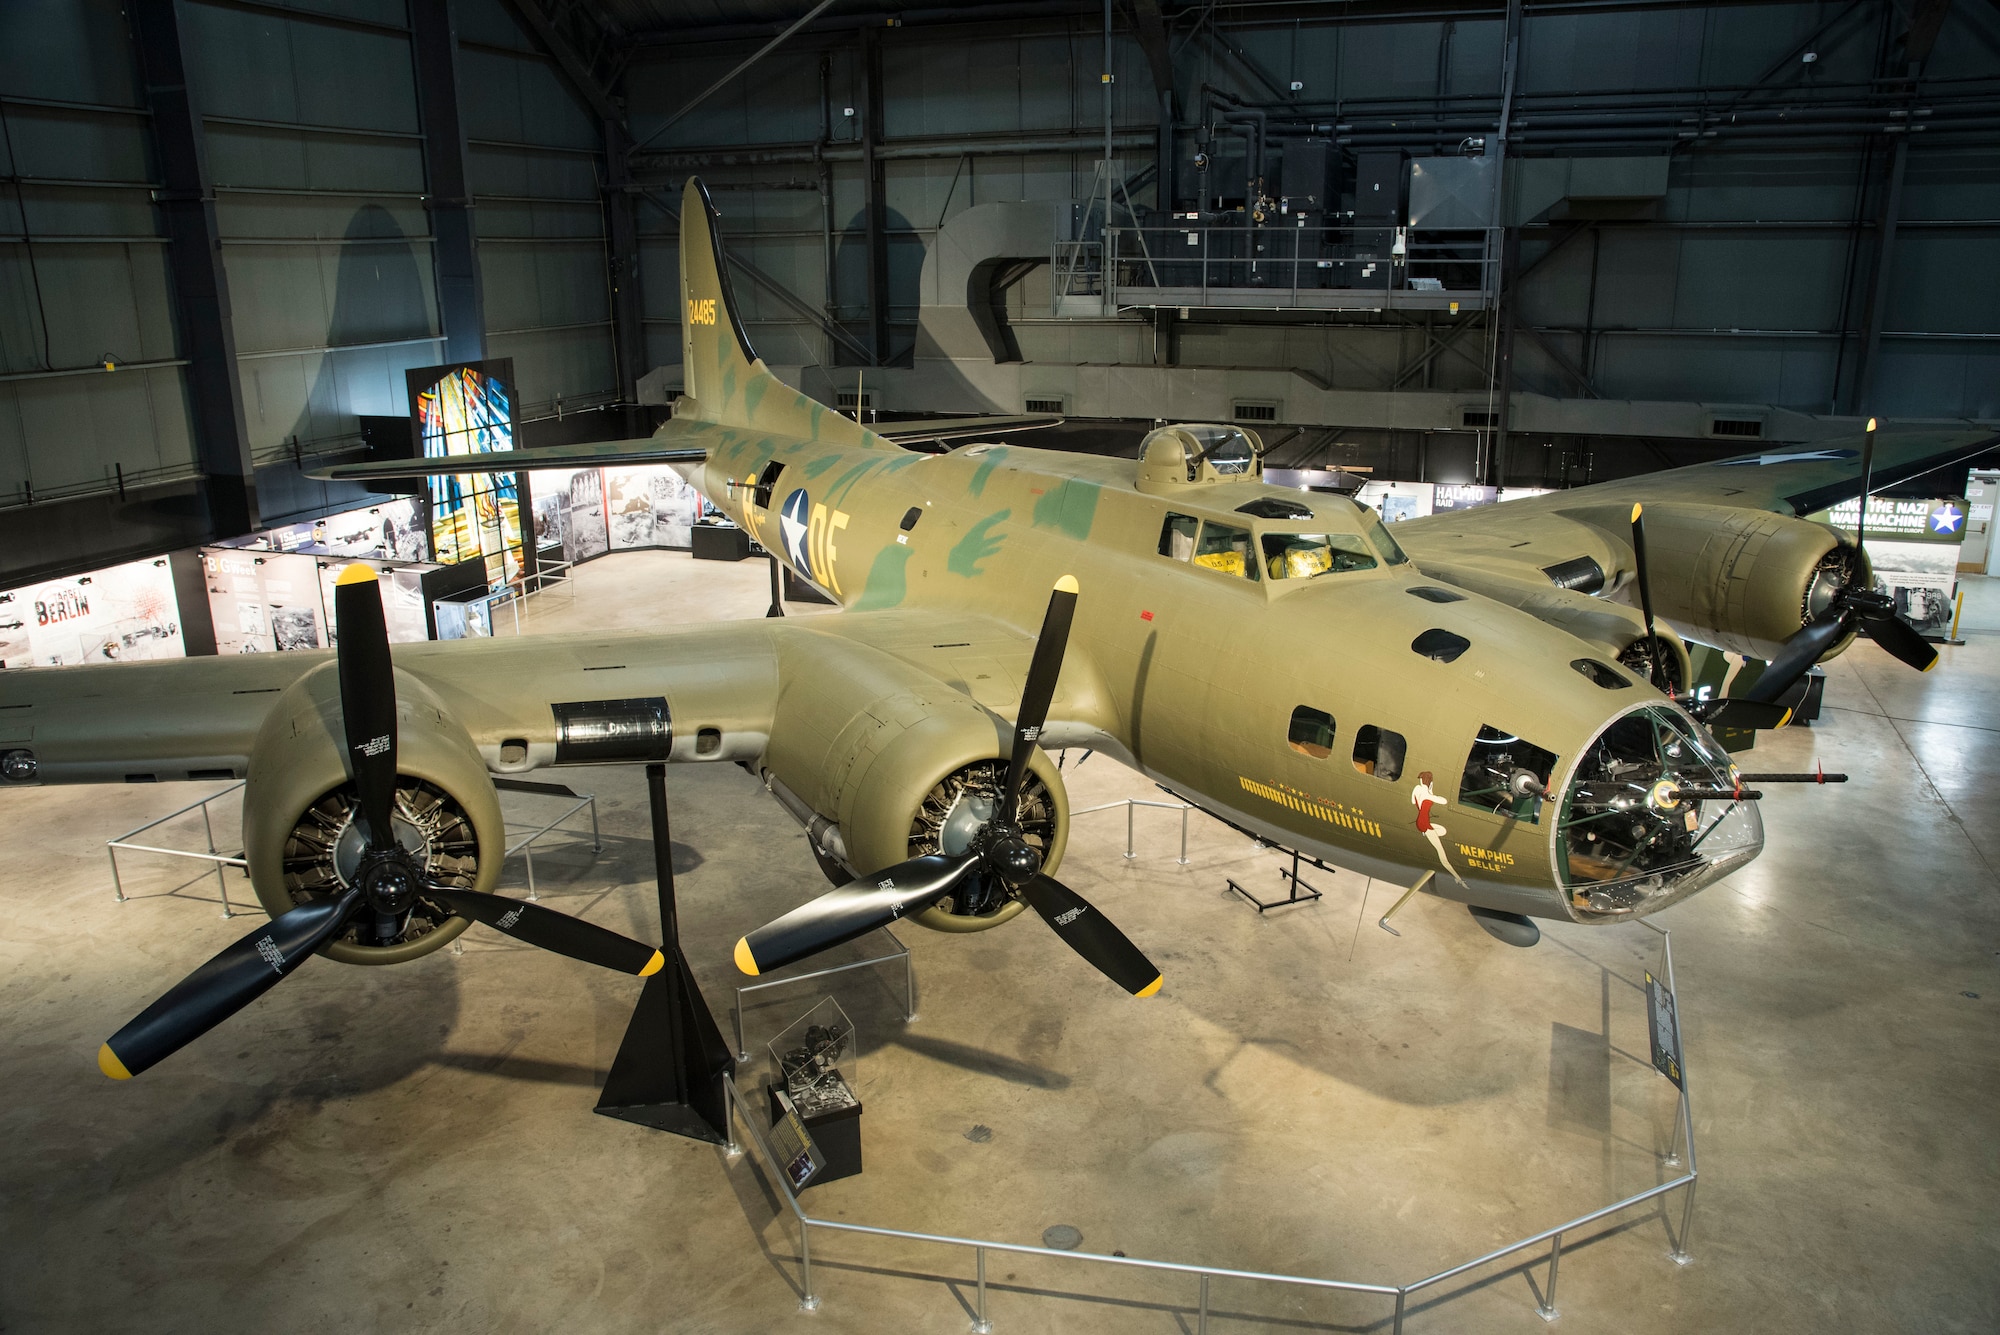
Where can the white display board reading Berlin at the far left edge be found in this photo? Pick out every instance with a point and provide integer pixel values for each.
(109, 617)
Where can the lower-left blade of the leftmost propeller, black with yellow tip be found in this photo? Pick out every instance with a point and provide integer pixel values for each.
(225, 986)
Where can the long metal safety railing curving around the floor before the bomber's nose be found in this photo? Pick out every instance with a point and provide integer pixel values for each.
(1397, 1294)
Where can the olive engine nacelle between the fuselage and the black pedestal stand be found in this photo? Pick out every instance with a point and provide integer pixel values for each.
(899, 764)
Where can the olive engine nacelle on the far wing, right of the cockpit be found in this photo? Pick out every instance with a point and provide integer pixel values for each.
(1743, 581)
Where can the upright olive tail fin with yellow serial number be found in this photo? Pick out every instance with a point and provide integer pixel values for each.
(725, 381)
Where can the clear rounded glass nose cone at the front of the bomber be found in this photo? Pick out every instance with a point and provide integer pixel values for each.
(1651, 816)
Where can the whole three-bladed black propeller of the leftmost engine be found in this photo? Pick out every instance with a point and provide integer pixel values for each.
(387, 882)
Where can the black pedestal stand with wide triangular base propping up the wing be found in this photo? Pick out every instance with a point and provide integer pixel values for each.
(671, 1066)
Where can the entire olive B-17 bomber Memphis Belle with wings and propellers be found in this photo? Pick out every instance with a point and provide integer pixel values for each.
(1489, 704)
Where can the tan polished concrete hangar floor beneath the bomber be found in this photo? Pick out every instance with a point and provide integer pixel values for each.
(415, 1150)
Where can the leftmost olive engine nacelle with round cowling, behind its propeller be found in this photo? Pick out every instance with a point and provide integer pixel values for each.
(299, 812)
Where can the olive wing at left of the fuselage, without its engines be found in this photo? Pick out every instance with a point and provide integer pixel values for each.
(199, 718)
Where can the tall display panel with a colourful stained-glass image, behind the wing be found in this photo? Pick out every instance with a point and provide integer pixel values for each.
(469, 409)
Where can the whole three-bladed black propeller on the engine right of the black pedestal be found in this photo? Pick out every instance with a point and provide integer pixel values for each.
(999, 854)
